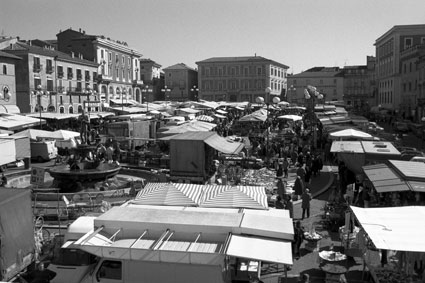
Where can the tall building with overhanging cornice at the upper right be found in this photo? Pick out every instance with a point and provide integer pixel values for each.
(389, 66)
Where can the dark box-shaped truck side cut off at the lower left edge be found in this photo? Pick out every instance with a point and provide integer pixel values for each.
(17, 242)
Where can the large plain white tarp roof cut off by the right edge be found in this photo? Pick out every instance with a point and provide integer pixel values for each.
(394, 228)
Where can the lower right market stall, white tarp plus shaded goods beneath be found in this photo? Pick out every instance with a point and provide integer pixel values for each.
(392, 241)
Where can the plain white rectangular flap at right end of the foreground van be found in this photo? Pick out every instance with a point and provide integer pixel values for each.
(260, 249)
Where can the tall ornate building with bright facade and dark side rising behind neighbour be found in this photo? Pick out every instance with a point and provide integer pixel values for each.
(119, 75)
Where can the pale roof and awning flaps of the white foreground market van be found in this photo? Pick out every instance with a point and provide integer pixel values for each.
(174, 235)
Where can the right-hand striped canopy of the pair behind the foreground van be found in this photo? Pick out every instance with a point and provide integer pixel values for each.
(253, 197)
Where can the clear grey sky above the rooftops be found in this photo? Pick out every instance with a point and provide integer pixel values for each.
(298, 33)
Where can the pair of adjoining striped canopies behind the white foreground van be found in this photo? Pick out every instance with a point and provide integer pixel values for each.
(181, 194)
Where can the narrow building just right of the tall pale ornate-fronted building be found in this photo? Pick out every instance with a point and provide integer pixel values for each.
(150, 74)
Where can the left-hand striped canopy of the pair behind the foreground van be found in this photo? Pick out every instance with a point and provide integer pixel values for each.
(169, 194)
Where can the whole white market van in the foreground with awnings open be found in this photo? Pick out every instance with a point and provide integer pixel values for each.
(139, 244)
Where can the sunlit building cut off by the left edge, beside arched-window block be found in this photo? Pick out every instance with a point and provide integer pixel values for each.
(8, 83)
